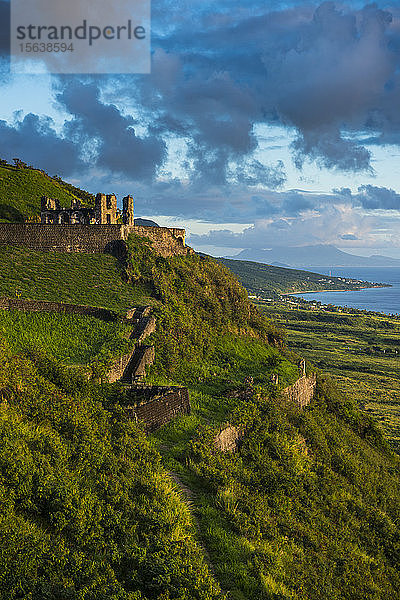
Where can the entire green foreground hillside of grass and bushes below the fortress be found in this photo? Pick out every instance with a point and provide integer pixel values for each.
(306, 509)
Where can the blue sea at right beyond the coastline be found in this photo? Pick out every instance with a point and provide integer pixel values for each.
(385, 300)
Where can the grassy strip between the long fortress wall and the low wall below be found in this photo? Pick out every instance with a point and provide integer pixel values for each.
(90, 279)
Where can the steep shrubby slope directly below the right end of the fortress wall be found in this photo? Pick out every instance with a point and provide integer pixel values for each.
(207, 328)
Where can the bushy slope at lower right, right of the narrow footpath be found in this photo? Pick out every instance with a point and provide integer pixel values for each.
(307, 509)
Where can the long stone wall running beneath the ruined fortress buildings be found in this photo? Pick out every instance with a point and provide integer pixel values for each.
(90, 238)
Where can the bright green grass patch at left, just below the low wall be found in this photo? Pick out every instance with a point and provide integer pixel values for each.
(72, 339)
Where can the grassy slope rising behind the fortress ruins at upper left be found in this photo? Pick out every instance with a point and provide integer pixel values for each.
(21, 189)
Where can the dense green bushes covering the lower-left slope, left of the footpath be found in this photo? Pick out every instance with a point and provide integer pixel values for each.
(87, 510)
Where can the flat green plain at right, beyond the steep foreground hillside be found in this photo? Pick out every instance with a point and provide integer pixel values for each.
(361, 351)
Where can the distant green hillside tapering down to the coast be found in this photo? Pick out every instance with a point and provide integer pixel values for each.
(268, 281)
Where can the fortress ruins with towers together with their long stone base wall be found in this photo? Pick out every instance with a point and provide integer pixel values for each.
(102, 228)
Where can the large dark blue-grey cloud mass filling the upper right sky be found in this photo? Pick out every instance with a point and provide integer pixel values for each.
(326, 71)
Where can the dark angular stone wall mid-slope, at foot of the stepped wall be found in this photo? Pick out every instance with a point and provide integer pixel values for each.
(168, 403)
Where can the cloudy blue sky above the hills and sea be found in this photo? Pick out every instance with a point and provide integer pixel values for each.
(261, 124)
